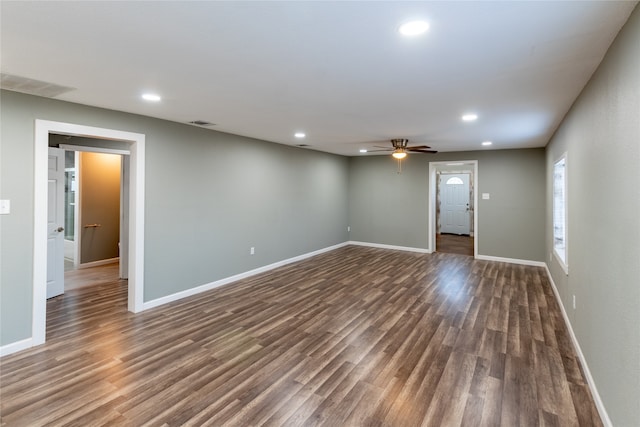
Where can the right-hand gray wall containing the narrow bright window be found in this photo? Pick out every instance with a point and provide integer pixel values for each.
(601, 136)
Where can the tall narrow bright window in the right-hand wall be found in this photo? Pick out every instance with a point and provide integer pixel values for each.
(560, 211)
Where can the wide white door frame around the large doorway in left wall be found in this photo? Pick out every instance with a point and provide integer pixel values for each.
(136, 214)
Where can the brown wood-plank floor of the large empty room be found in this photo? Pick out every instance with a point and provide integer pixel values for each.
(355, 337)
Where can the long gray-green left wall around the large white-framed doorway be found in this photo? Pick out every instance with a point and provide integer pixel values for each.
(209, 197)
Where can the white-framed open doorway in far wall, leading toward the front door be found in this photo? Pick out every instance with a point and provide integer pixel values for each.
(453, 218)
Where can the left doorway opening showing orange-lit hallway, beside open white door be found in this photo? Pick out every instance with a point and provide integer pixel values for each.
(95, 212)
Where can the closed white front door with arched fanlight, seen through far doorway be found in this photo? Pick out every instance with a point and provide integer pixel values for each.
(454, 208)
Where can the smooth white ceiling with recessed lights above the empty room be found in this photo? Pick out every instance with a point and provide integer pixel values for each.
(339, 71)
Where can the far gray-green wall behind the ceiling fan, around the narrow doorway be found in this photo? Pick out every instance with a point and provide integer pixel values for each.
(393, 209)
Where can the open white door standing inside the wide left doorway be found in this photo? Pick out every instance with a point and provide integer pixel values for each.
(55, 222)
